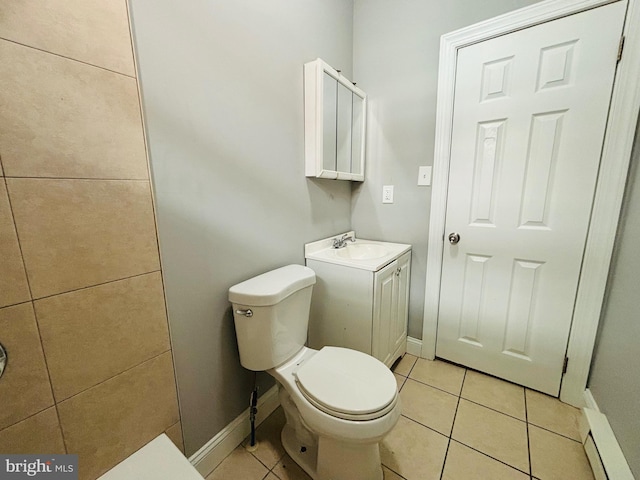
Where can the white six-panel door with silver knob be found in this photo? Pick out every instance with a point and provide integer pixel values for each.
(529, 119)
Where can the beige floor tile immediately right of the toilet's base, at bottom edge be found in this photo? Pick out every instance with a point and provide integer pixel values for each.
(414, 451)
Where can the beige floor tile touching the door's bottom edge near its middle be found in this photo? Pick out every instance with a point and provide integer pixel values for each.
(494, 393)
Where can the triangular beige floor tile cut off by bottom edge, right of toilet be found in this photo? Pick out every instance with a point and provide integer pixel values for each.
(464, 463)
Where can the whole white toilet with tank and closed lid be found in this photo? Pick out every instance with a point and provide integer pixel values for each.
(339, 403)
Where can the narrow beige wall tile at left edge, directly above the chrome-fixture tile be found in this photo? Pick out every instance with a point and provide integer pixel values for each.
(13, 280)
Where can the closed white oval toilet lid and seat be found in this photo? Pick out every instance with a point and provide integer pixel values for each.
(347, 383)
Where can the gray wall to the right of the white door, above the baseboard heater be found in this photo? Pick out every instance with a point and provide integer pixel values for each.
(614, 380)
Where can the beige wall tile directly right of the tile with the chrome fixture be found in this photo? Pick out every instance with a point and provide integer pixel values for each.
(92, 334)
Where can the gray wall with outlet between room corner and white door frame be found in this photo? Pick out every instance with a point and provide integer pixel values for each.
(396, 50)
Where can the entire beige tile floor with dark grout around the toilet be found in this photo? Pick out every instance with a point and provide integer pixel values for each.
(457, 424)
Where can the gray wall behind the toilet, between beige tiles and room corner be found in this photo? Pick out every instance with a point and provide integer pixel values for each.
(222, 93)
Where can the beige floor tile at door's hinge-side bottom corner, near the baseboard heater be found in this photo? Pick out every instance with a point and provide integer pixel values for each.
(550, 413)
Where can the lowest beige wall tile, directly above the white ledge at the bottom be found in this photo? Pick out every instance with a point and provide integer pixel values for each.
(108, 422)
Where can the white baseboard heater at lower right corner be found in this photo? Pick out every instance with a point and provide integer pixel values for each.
(602, 448)
